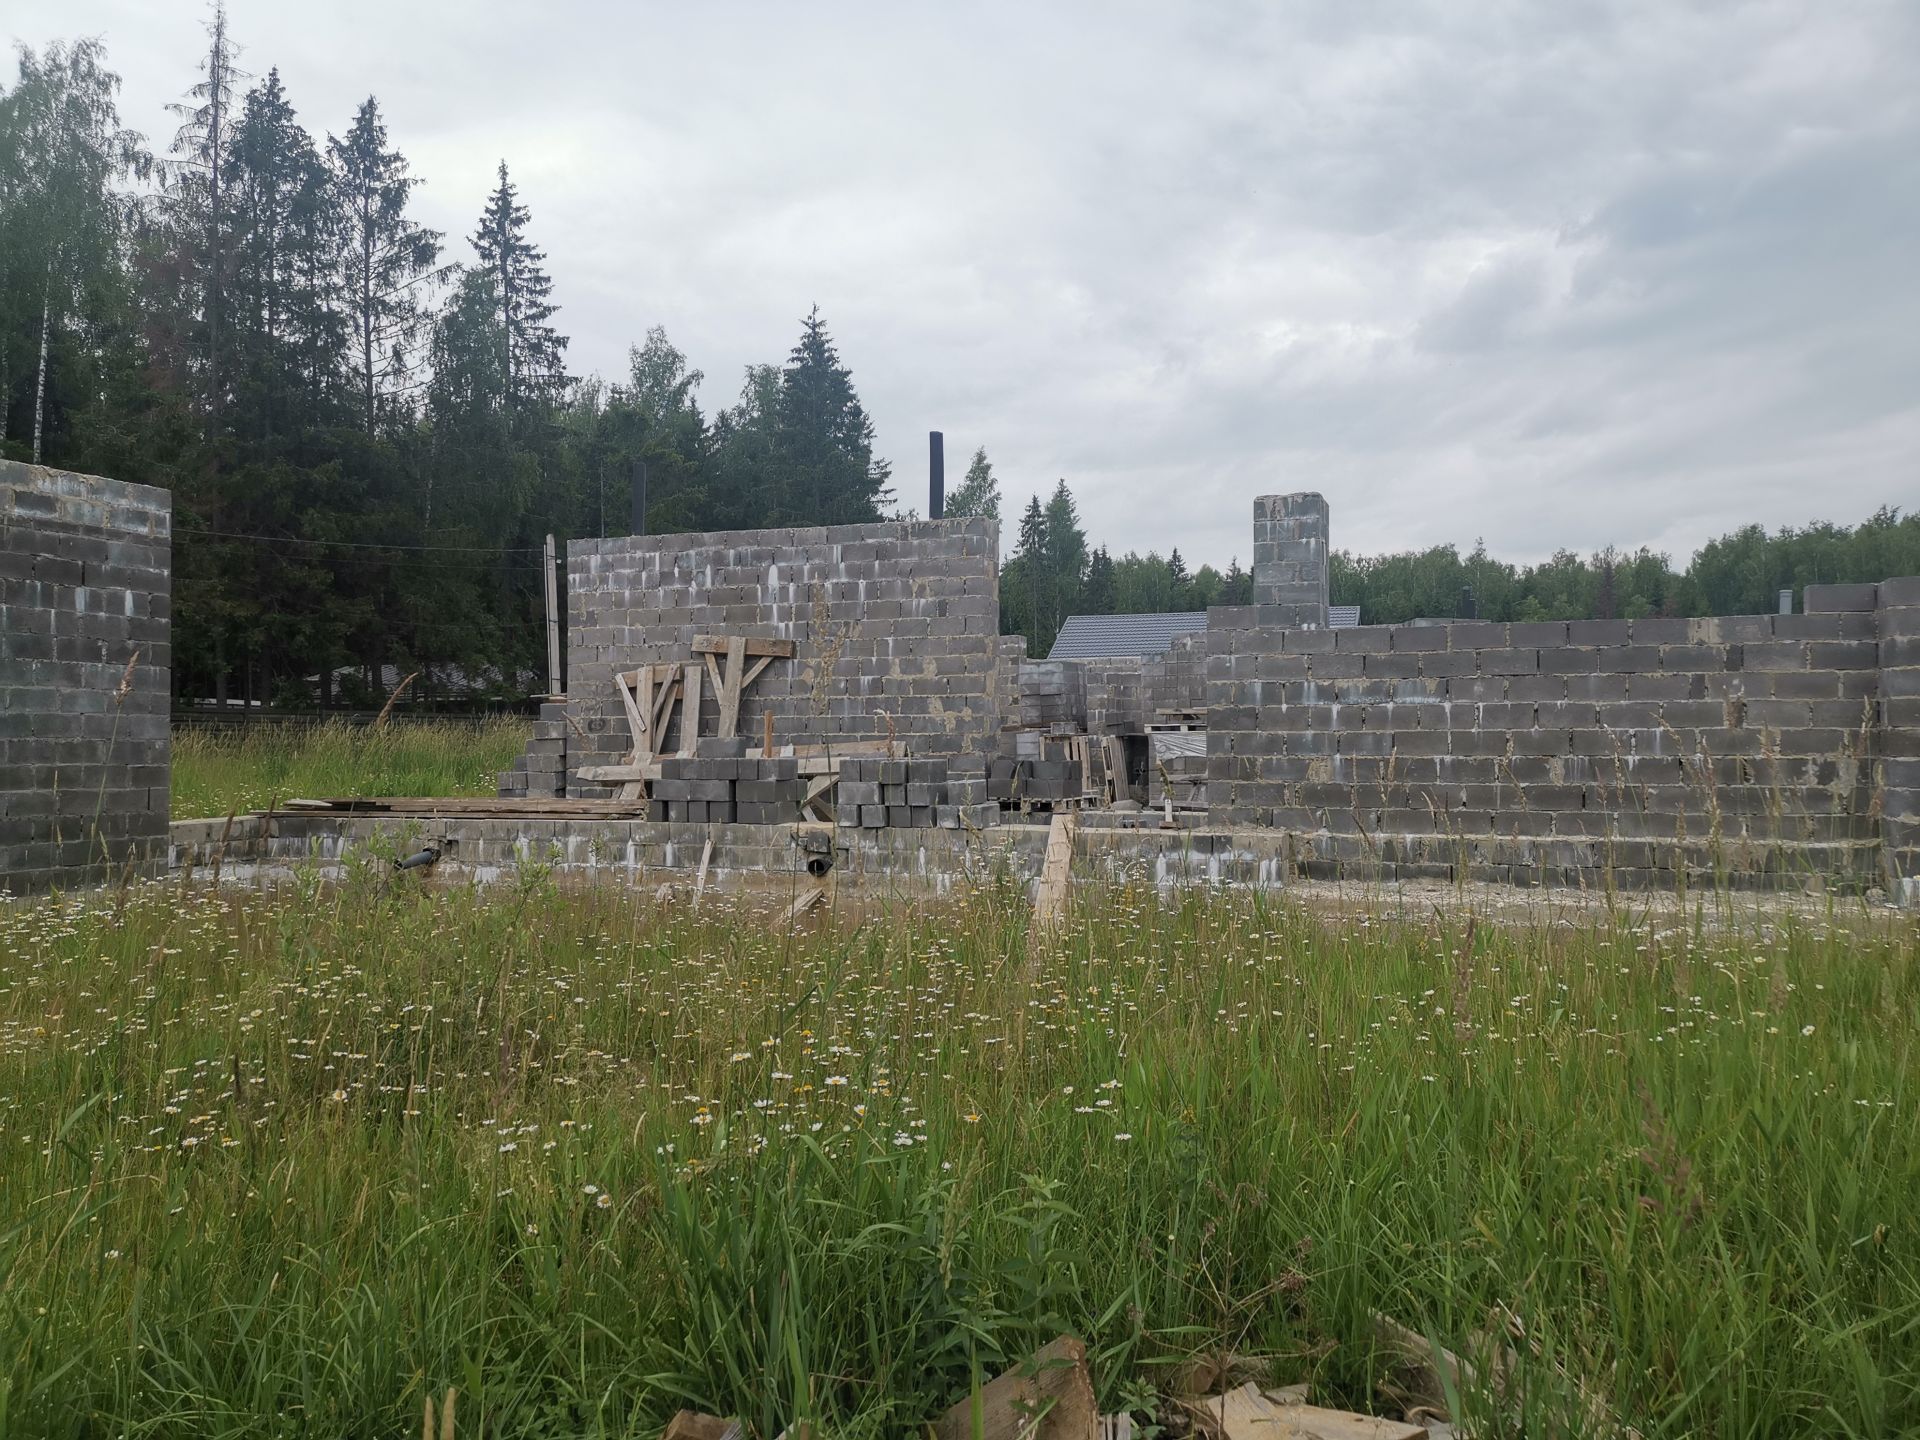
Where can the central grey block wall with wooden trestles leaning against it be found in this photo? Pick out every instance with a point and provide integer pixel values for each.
(900, 619)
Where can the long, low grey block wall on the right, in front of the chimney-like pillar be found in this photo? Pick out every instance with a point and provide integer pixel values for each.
(1560, 752)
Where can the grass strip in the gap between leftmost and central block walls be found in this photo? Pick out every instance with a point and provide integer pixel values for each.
(249, 769)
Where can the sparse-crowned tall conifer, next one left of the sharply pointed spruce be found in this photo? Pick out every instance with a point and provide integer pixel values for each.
(389, 262)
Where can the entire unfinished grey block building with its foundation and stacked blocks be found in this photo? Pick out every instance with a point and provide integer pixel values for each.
(838, 702)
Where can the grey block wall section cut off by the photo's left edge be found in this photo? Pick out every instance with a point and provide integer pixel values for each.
(85, 665)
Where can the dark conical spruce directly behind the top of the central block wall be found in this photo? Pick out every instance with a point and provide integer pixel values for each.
(827, 439)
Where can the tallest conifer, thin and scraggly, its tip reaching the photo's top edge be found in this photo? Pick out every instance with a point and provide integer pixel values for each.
(199, 201)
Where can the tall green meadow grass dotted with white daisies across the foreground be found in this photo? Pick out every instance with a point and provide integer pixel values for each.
(289, 1164)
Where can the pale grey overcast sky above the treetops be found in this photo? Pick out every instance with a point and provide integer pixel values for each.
(1539, 274)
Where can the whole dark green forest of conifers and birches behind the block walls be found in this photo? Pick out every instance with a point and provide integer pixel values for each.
(370, 427)
